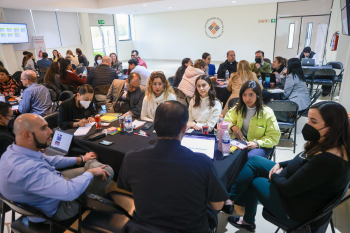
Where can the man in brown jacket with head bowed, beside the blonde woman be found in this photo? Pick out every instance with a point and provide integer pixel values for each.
(126, 96)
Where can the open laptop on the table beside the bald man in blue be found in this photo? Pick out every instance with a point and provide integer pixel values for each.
(60, 143)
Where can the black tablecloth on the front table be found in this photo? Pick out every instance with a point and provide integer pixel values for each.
(228, 167)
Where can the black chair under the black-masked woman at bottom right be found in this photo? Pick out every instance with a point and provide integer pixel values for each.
(307, 226)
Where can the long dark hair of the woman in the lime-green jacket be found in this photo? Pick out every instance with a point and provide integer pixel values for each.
(259, 103)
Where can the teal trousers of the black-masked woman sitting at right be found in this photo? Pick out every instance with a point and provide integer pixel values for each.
(253, 183)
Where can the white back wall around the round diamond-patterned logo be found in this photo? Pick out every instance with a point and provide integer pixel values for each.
(180, 34)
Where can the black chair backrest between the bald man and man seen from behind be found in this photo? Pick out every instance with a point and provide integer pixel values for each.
(100, 204)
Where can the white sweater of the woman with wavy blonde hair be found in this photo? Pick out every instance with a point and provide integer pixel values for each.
(149, 106)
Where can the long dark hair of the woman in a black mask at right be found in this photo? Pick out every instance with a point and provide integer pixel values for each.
(336, 118)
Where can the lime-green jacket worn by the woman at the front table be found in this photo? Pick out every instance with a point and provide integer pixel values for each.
(263, 128)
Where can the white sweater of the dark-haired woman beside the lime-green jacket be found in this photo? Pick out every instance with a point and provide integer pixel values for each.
(204, 114)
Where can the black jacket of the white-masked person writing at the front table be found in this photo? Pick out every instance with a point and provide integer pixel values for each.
(69, 111)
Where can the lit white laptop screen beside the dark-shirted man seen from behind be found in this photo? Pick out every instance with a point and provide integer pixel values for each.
(200, 144)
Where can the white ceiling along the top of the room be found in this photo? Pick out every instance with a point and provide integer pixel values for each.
(125, 6)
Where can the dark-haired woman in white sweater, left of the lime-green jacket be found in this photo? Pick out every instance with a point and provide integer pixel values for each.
(204, 108)
